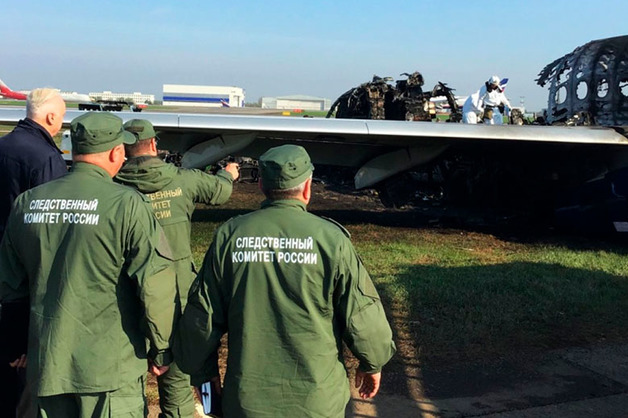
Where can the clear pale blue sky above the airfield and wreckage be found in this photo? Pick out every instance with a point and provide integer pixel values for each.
(276, 48)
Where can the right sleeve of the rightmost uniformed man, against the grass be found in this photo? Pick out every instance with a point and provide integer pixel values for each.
(365, 328)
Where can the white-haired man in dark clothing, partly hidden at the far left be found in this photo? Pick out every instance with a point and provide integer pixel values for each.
(28, 158)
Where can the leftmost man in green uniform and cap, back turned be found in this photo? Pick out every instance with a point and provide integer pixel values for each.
(93, 261)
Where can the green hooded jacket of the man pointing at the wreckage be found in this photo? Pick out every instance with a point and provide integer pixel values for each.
(173, 193)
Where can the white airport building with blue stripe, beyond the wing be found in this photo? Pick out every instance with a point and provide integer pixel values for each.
(208, 96)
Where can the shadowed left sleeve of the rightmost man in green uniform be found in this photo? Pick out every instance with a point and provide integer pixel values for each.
(204, 322)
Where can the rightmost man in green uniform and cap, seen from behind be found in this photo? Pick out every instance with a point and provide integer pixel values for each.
(289, 288)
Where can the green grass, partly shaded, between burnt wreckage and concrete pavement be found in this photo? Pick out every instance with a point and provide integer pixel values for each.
(454, 295)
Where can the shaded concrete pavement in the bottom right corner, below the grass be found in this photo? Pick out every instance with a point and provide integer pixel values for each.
(574, 383)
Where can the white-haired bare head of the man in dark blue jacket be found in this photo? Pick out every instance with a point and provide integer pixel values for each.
(47, 108)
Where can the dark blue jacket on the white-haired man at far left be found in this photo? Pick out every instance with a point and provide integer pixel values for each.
(28, 158)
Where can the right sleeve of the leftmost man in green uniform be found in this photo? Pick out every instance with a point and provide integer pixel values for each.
(148, 263)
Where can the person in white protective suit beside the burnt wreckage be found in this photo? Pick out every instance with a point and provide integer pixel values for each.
(485, 103)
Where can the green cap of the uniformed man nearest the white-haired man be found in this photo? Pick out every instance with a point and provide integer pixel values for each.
(96, 132)
